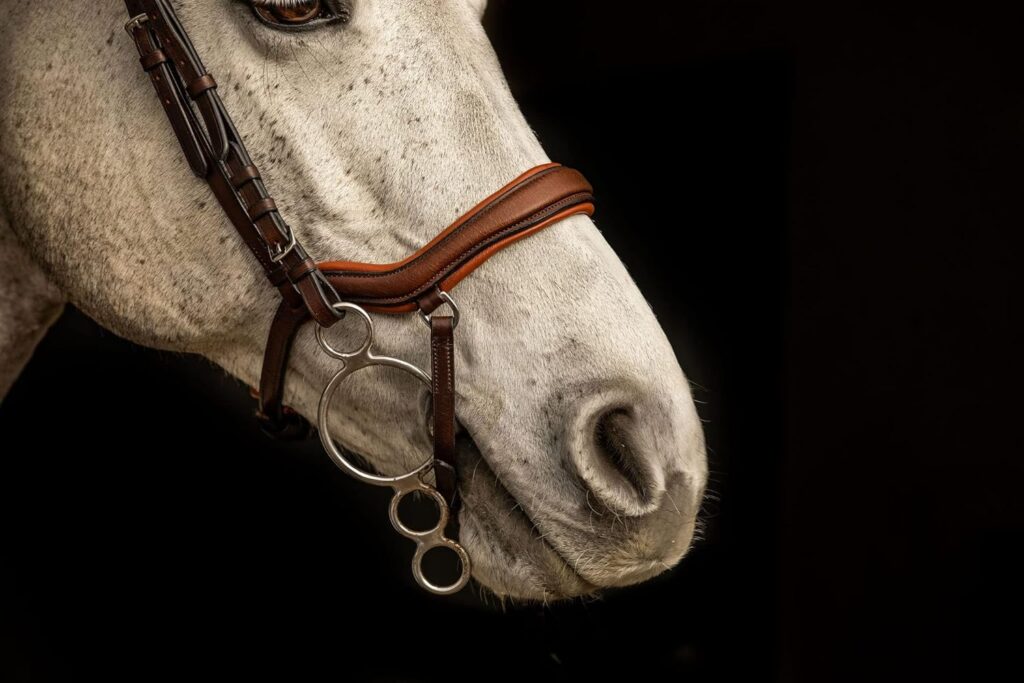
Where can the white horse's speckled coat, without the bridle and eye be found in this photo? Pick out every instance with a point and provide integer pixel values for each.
(372, 137)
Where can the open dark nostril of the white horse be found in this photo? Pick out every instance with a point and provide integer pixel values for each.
(618, 466)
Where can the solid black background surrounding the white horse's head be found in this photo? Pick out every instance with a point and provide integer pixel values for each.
(844, 181)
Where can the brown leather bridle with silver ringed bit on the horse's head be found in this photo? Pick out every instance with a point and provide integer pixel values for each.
(326, 292)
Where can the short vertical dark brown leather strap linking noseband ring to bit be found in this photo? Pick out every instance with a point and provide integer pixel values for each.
(443, 392)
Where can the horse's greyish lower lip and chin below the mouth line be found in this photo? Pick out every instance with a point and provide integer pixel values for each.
(510, 558)
